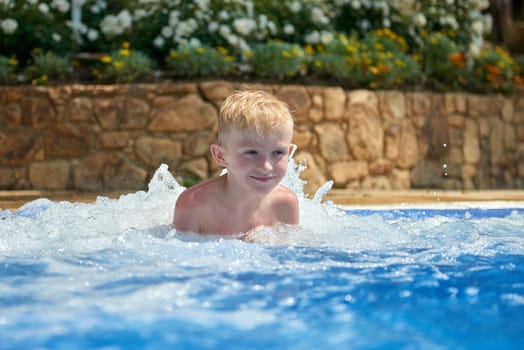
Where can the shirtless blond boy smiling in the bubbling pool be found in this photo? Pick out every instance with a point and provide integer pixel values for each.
(254, 144)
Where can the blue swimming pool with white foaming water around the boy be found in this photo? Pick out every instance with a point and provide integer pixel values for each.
(113, 275)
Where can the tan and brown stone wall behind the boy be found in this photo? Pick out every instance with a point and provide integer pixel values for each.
(100, 138)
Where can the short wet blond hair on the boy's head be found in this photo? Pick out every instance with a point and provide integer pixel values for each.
(255, 110)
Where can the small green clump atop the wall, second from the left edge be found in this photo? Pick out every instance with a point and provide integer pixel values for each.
(48, 66)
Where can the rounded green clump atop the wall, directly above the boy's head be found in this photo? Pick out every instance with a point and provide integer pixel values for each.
(276, 60)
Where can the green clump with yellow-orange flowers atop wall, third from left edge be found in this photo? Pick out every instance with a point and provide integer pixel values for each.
(123, 66)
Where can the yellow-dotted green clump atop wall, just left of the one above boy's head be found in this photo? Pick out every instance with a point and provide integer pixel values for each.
(190, 61)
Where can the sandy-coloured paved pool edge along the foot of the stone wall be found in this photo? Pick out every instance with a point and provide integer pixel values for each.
(14, 199)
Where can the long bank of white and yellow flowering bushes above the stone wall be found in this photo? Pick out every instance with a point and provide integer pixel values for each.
(371, 43)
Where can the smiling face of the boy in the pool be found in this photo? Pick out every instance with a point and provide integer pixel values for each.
(257, 163)
